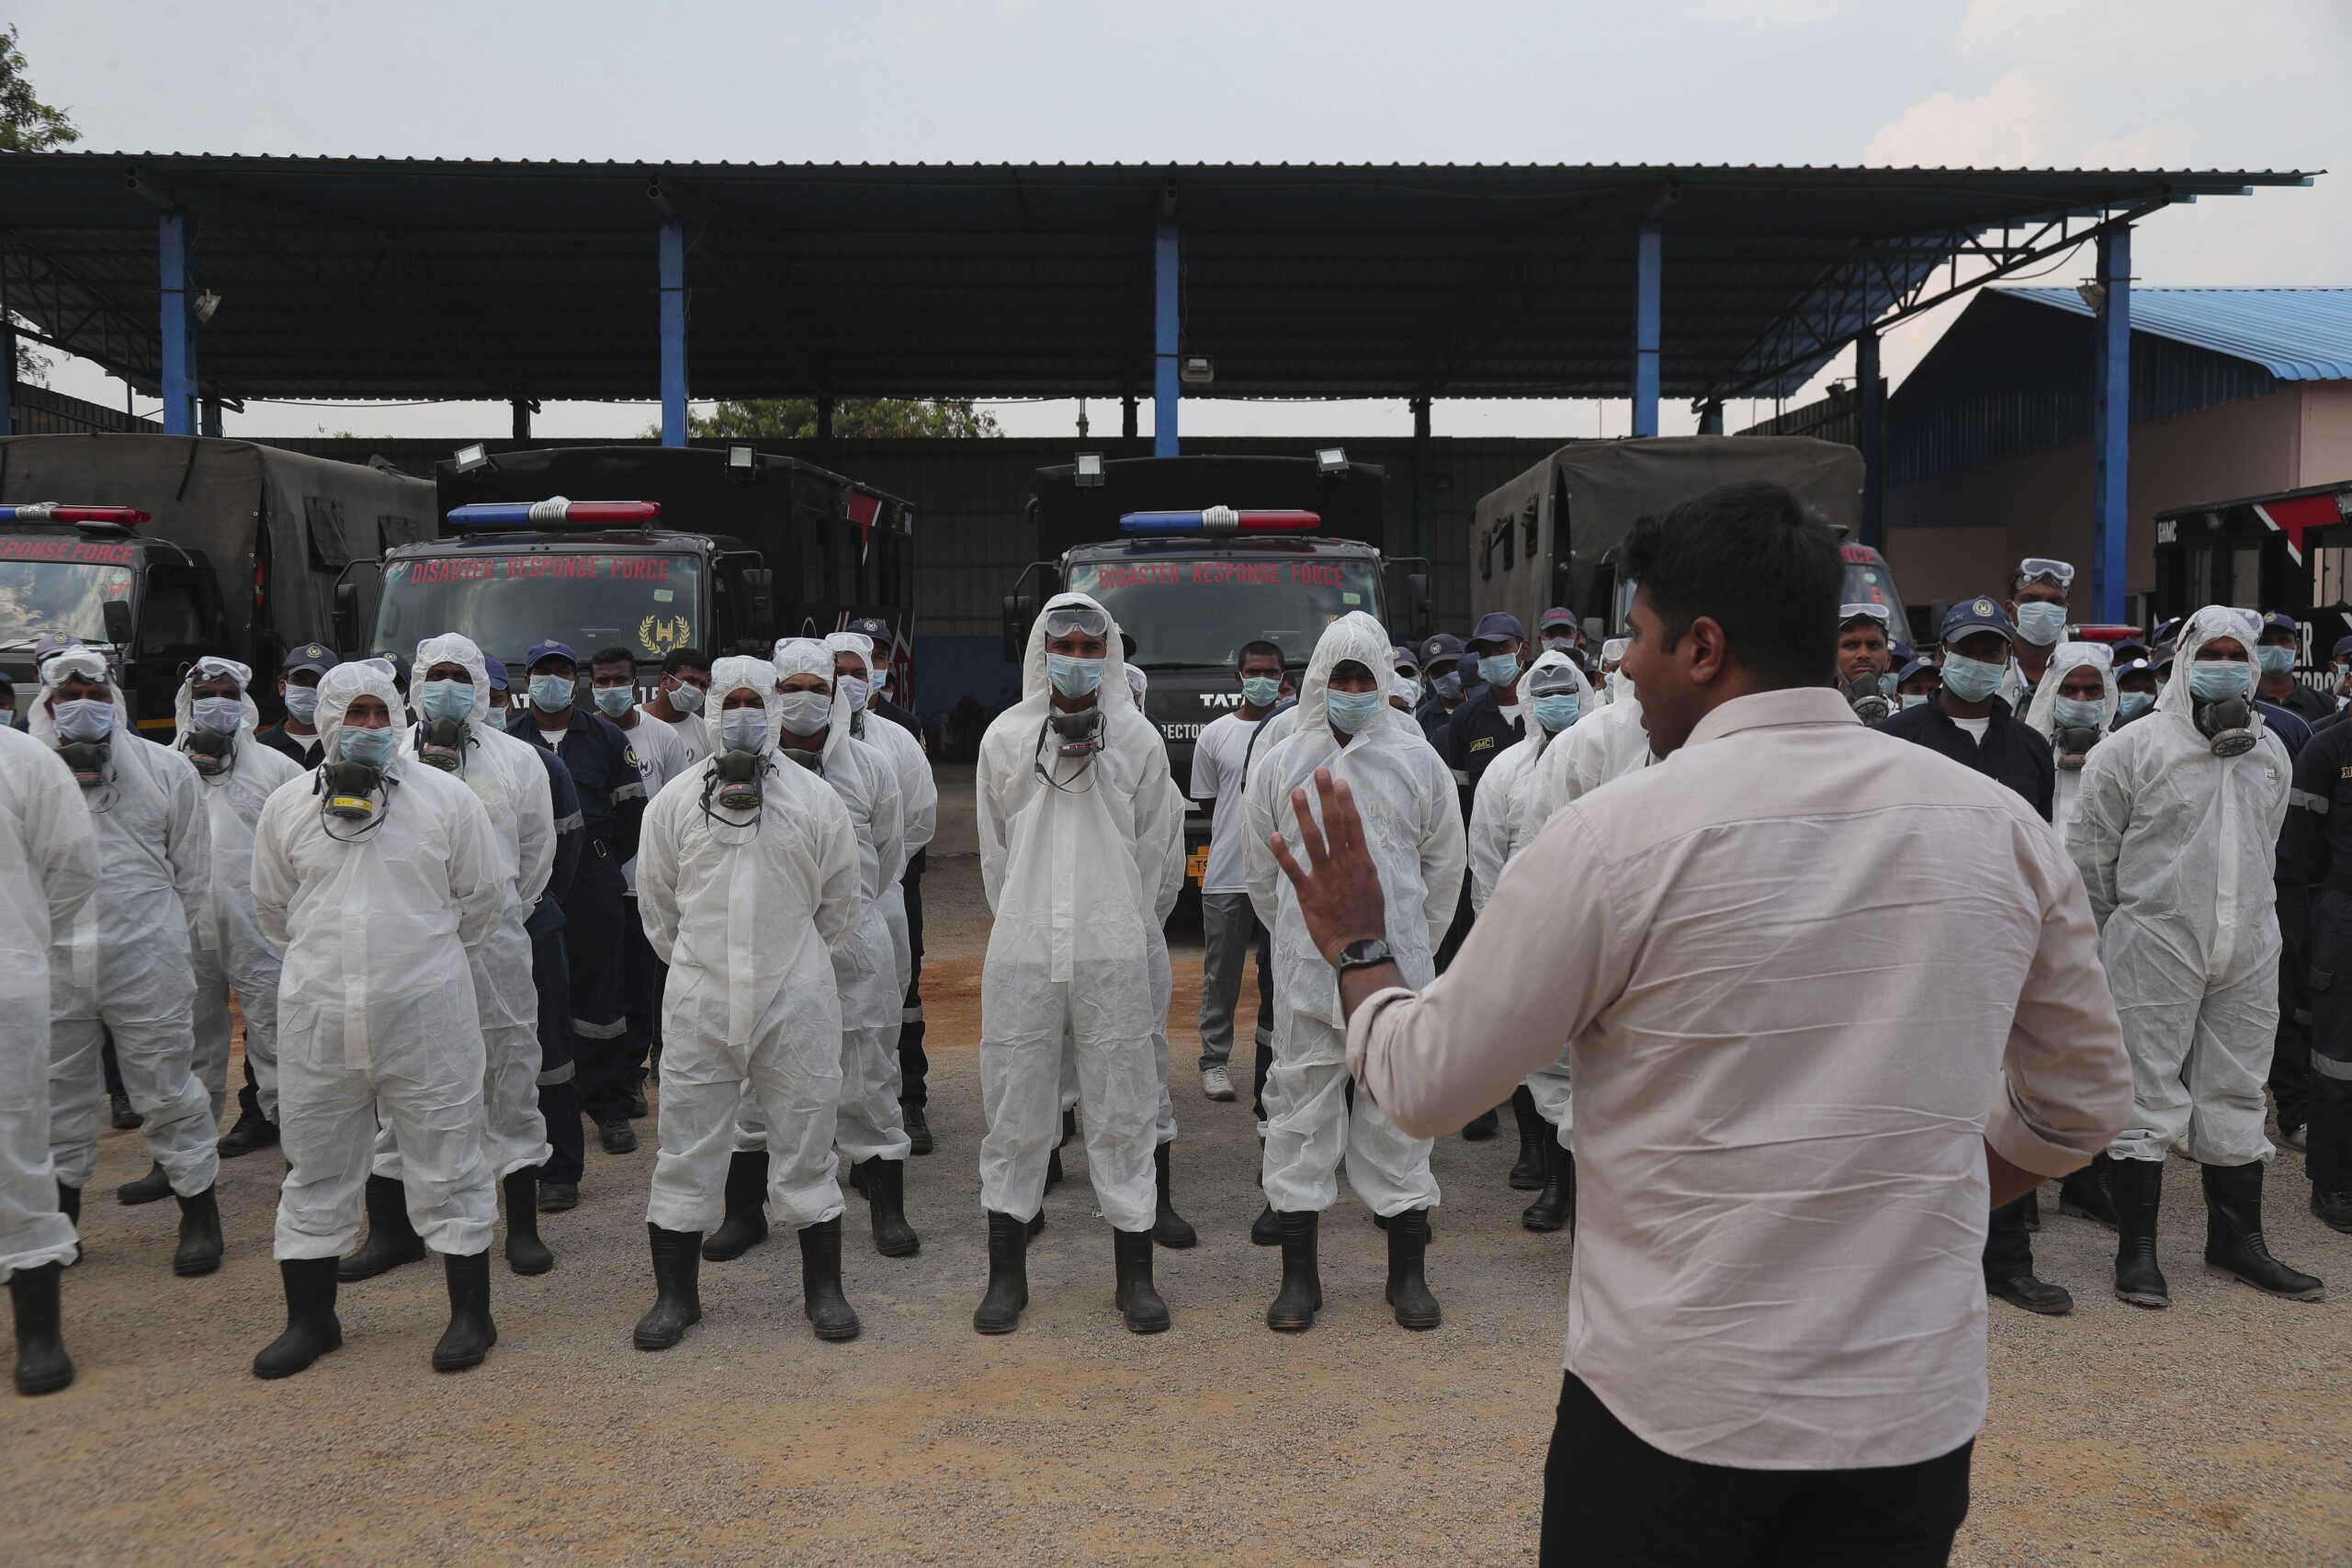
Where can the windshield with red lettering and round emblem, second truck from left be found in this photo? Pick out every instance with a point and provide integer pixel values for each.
(507, 603)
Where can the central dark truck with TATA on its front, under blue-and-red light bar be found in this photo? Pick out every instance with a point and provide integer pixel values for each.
(1196, 556)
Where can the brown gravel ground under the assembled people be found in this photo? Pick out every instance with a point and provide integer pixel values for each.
(2214, 1433)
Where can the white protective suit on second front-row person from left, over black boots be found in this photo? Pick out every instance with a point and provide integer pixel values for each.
(375, 1010)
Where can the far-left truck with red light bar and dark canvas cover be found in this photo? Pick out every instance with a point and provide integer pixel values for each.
(161, 549)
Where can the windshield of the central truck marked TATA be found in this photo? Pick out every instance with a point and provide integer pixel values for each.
(1203, 610)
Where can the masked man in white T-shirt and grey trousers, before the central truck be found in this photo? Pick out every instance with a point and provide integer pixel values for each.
(1227, 923)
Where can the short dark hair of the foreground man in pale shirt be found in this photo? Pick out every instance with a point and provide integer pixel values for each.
(1760, 565)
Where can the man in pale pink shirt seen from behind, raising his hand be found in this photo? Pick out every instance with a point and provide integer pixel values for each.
(1777, 1325)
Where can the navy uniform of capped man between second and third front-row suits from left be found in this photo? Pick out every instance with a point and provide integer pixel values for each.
(613, 808)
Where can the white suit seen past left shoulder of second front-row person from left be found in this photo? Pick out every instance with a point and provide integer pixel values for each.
(232, 956)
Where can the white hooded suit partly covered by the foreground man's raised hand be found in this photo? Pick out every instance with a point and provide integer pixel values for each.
(1415, 833)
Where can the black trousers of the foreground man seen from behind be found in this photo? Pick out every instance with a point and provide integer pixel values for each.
(1612, 1501)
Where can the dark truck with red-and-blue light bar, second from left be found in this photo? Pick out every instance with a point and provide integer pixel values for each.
(650, 549)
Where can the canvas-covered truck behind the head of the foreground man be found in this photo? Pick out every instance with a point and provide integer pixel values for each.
(1556, 532)
